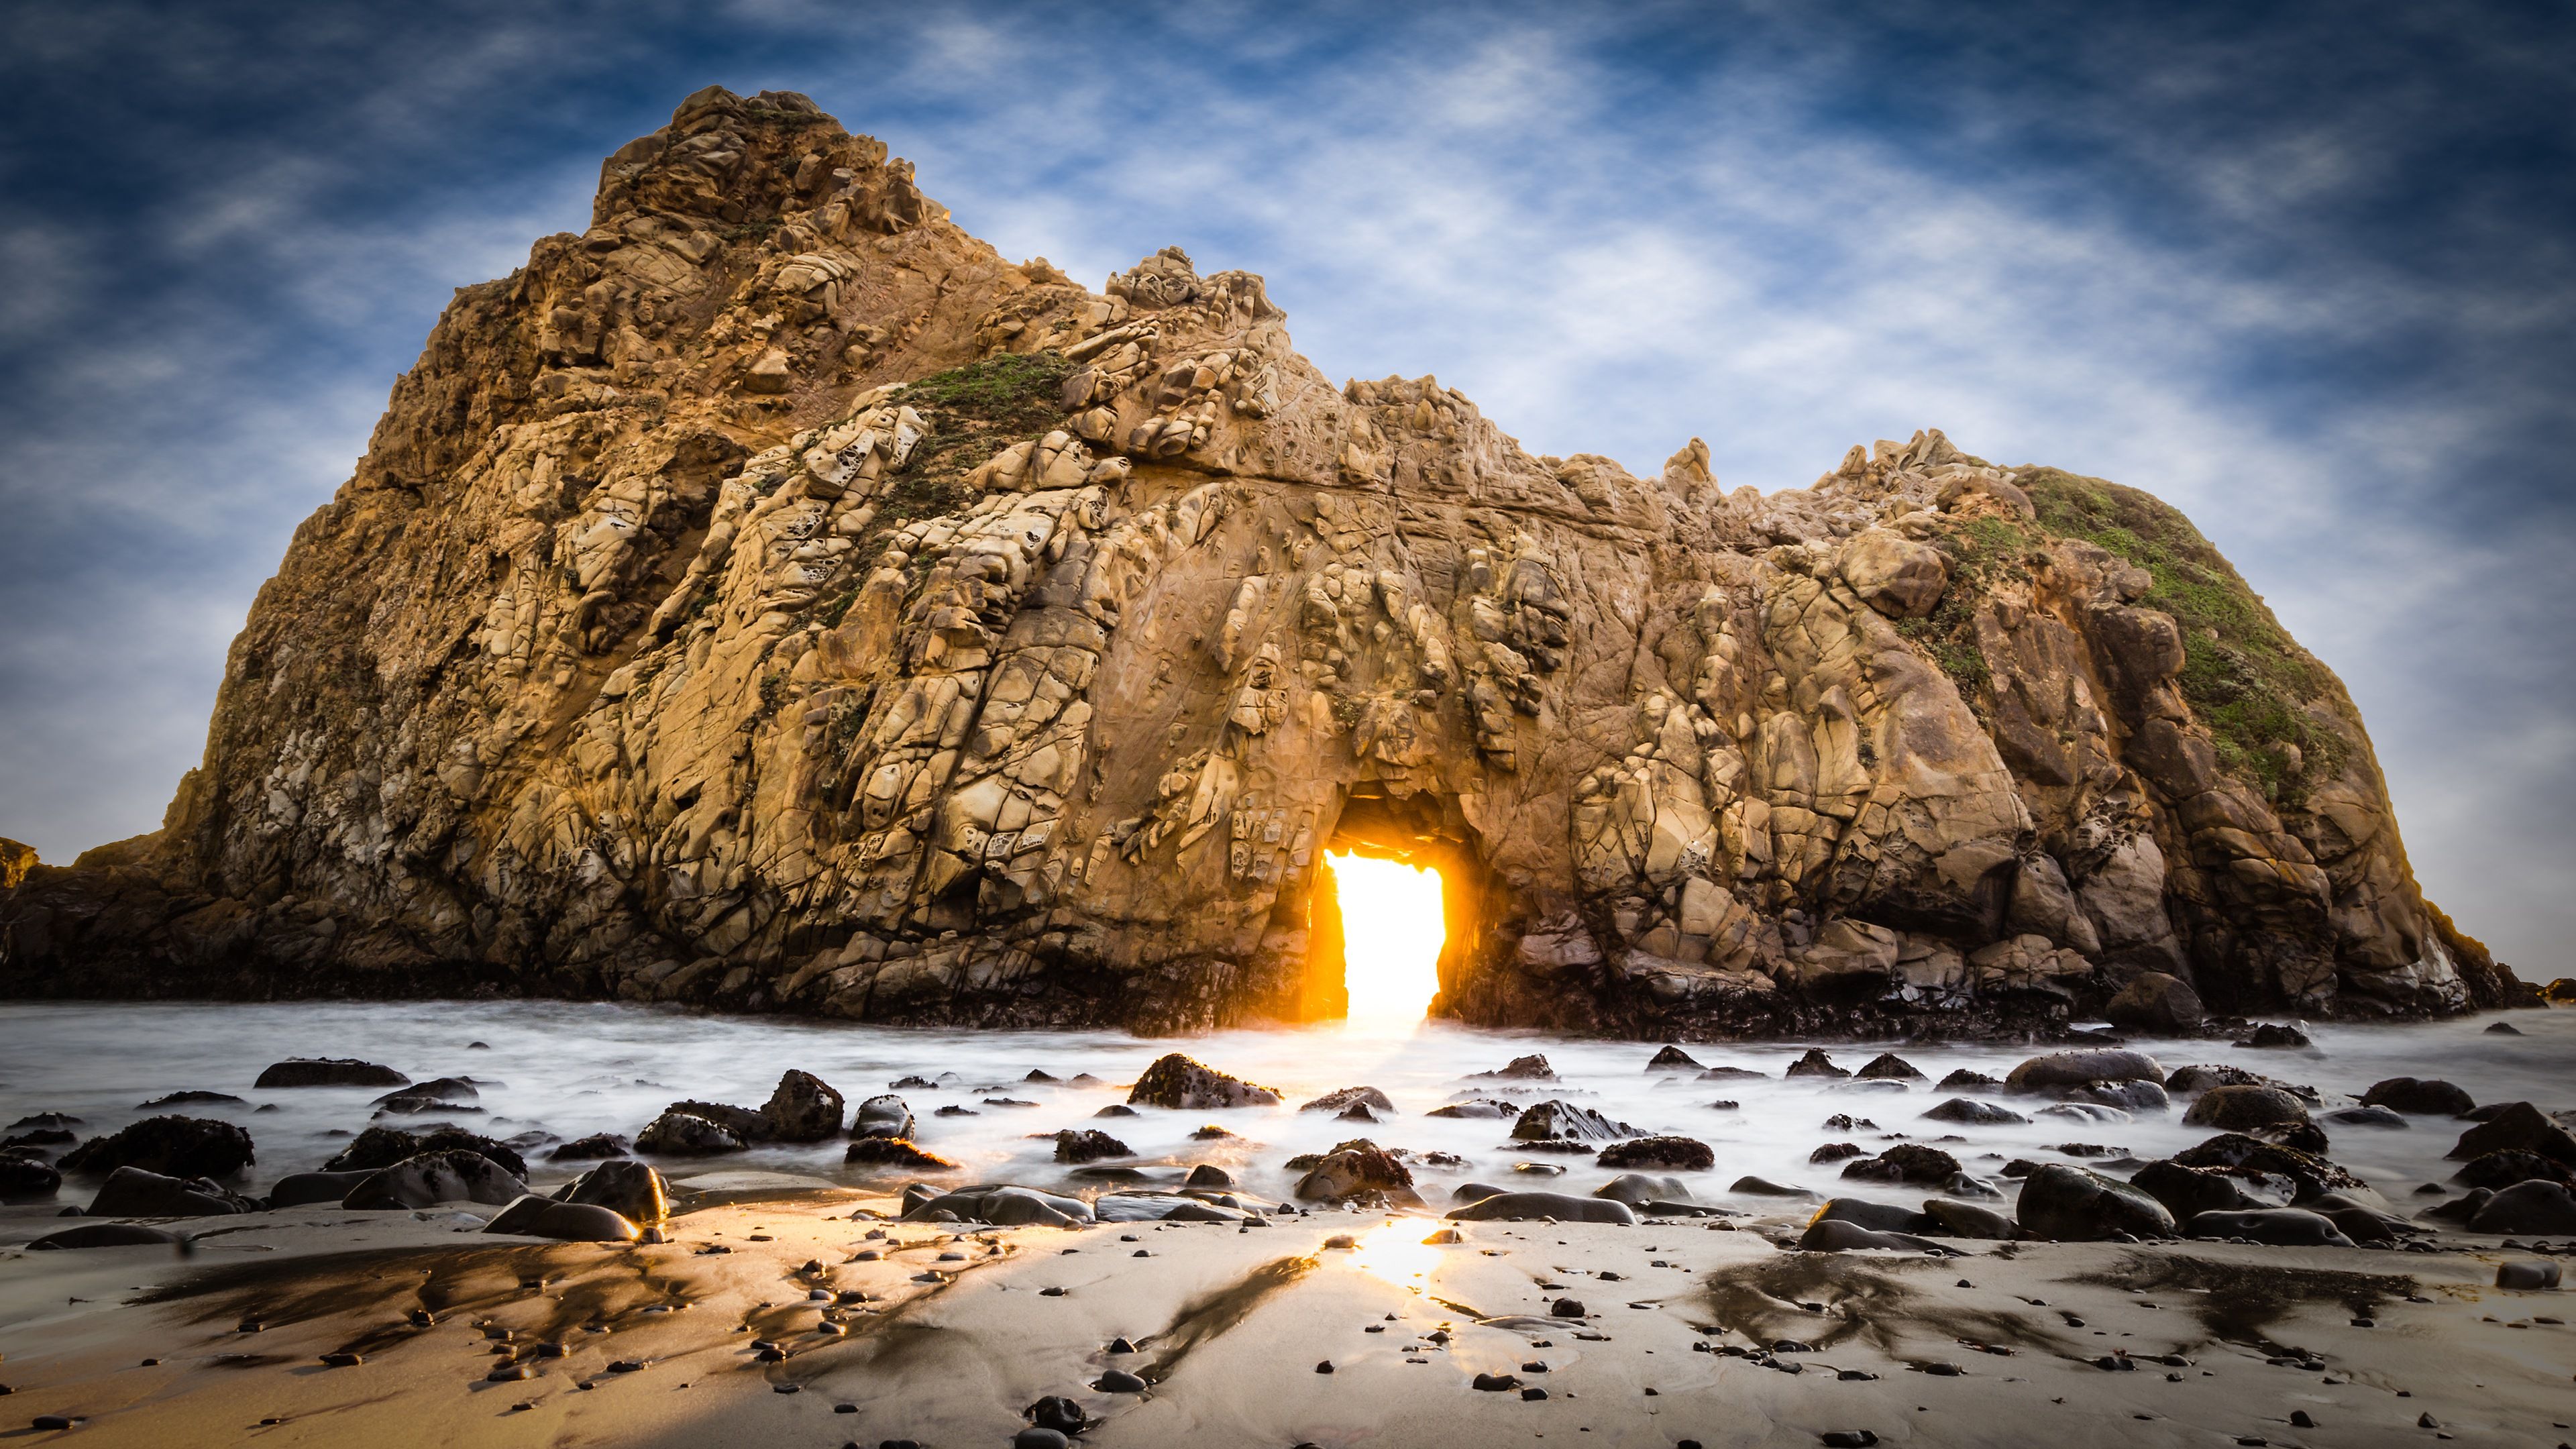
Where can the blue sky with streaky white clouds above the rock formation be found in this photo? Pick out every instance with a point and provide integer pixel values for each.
(2302, 269)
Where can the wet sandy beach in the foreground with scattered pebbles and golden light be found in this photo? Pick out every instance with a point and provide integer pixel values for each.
(663, 1345)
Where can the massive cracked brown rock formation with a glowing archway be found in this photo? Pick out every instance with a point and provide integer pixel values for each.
(777, 599)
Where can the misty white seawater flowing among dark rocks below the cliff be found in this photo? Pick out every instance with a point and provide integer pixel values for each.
(578, 1069)
